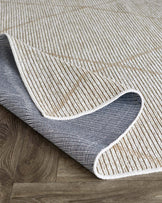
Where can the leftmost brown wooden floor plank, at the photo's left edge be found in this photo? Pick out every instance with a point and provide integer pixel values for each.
(11, 139)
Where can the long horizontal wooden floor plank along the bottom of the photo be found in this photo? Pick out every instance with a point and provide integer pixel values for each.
(102, 191)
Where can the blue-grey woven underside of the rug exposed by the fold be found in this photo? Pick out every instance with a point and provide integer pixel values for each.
(82, 138)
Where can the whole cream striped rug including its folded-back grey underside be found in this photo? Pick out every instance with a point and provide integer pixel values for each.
(87, 76)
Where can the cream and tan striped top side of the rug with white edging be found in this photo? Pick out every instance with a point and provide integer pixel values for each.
(93, 52)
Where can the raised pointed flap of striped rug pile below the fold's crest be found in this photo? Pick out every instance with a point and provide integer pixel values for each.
(59, 89)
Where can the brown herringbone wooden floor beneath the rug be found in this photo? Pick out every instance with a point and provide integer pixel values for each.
(33, 170)
